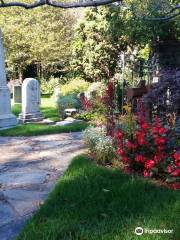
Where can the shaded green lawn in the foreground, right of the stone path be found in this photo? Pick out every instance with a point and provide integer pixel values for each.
(96, 203)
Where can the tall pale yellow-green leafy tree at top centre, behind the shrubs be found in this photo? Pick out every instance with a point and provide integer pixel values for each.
(96, 47)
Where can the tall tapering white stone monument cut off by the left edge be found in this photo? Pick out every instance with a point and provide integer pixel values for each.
(7, 119)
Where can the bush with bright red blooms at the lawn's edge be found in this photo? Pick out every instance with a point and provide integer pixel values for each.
(149, 151)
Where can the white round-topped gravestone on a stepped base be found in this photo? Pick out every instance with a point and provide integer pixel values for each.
(30, 101)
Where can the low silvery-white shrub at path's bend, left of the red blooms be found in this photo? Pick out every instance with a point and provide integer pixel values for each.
(99, 143)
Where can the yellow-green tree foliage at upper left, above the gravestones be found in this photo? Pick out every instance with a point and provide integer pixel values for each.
(40, 36)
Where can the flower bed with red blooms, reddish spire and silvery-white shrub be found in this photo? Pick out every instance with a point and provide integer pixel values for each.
(150, 149)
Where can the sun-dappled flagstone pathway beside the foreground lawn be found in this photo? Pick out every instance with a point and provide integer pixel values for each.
(29, 168)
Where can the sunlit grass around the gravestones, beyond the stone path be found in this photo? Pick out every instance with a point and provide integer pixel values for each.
(49, 111)
